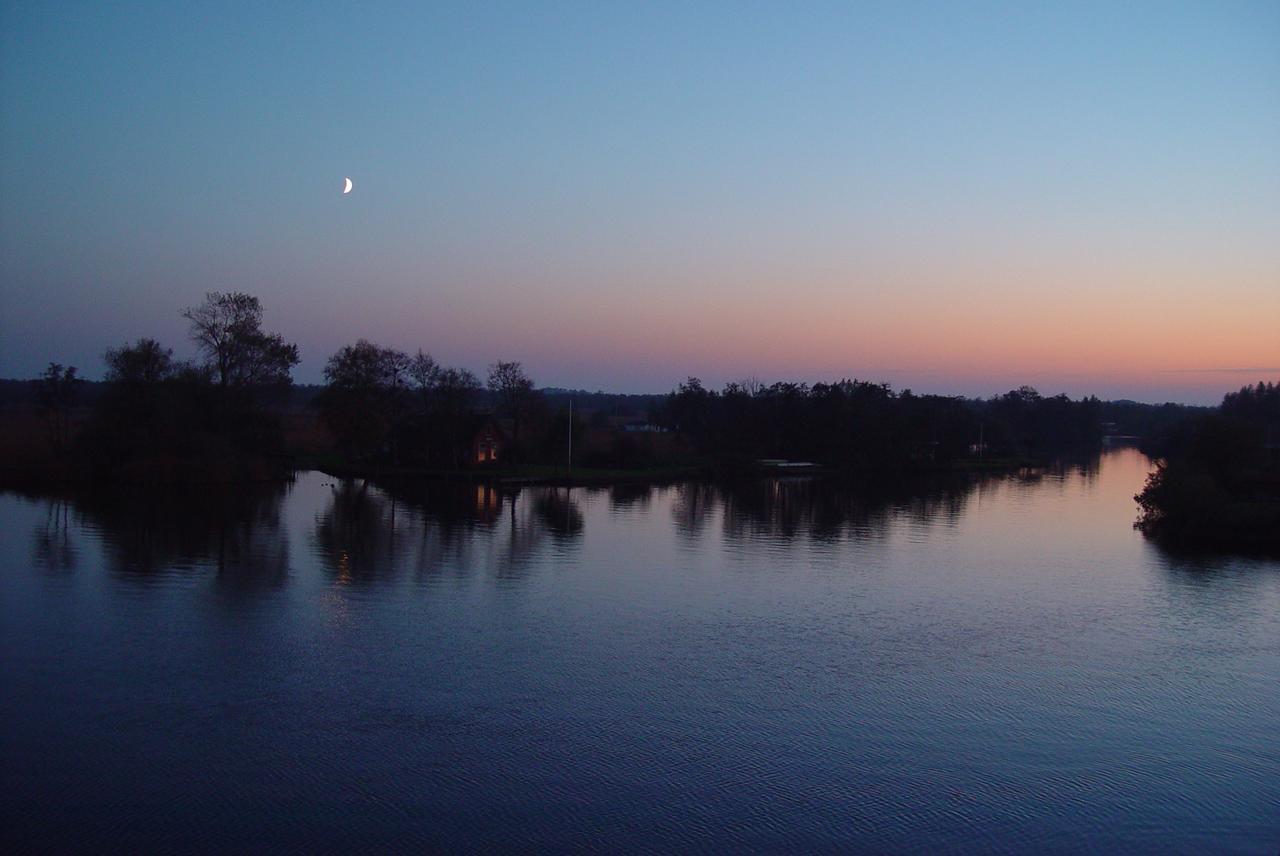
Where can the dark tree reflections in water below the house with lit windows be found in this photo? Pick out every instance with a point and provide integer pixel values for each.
(376, 533)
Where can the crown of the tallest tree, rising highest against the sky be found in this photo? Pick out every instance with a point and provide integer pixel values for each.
(228, 331)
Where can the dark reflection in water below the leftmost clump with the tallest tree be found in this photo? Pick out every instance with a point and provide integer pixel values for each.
(145, 532)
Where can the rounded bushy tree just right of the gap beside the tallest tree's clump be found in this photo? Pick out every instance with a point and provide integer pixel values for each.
(364, 399)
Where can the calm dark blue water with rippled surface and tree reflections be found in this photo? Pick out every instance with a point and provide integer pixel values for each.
(781, 666)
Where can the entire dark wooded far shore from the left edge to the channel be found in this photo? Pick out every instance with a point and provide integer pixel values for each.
(383, 408)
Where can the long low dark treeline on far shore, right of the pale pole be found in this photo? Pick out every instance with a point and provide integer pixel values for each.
(861, 425)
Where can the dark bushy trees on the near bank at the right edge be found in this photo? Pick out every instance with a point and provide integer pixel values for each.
(1218, 477)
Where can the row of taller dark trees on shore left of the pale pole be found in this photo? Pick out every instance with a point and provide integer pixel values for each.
(220, 416)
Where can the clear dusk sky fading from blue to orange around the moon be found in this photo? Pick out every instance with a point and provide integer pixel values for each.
(949, 198)
